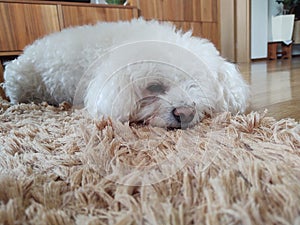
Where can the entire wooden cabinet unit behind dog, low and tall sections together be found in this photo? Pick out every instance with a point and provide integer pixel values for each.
(23, 21)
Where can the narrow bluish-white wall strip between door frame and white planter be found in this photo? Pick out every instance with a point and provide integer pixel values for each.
(259, 28)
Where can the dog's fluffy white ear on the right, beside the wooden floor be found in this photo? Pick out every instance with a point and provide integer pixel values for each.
(235, 90)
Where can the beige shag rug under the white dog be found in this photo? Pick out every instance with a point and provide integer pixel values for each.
(57, 166)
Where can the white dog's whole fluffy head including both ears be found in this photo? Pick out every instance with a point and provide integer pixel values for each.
(162, 84)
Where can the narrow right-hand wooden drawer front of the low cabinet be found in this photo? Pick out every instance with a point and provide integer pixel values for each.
(80, 15)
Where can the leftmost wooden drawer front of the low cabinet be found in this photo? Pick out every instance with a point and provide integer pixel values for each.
(21, 24)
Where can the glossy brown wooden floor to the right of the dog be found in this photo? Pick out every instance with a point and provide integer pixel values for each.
(275, 86)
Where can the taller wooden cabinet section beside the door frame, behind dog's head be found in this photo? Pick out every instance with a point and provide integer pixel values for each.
(200, 16)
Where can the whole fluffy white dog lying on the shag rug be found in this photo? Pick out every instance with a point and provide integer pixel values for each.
(137, 71)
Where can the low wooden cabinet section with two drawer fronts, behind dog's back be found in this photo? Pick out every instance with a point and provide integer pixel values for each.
(22, 22)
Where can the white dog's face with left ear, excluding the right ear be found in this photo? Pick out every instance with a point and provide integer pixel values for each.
(149, 93)
